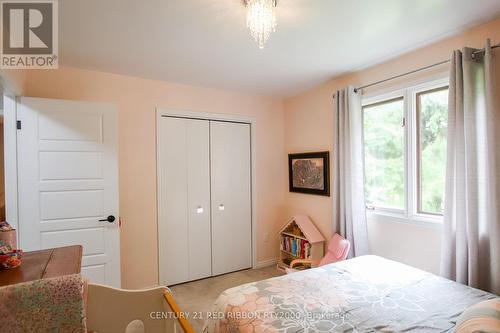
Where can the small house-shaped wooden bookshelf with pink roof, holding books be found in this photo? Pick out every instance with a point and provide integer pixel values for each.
(300, 239)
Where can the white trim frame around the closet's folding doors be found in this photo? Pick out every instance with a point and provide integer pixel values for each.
(179, 113)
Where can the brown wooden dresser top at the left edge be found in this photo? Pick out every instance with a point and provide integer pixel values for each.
(44, 264)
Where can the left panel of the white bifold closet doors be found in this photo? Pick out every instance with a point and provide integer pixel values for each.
(184, 200)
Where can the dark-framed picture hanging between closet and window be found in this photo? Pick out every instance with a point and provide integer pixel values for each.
(309, 173)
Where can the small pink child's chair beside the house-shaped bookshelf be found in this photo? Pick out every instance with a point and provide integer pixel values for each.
(338, 249)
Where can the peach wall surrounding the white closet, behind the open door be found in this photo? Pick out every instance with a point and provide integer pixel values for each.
(136, 100)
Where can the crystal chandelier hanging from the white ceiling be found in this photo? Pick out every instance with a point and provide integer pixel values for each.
(261, 19)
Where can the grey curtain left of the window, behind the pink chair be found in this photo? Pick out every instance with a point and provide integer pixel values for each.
(349, 211)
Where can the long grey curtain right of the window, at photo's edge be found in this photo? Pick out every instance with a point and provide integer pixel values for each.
(471, 229)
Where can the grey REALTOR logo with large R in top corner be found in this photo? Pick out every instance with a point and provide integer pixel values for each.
(29, 35)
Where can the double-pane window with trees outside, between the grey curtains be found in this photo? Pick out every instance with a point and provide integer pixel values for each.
(405, 151)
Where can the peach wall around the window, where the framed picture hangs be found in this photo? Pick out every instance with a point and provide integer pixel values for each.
(311, 115)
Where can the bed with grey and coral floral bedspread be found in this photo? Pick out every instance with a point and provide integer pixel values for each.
(364, 294)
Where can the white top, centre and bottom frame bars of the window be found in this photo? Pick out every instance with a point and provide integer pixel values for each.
(409, 213)
